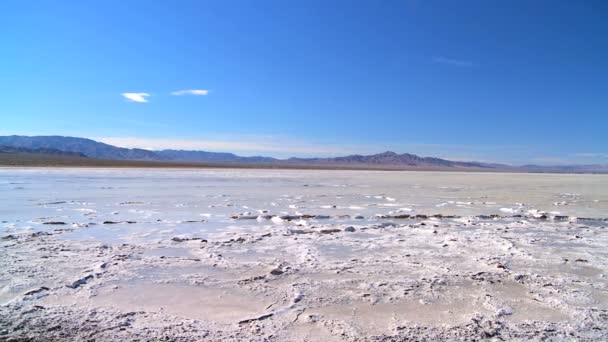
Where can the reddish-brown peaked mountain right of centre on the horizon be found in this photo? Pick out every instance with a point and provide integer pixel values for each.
(389, 158)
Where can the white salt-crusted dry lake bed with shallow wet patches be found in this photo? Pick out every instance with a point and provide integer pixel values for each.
(289, 255)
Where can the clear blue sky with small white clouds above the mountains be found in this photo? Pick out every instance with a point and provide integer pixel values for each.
(510, 81)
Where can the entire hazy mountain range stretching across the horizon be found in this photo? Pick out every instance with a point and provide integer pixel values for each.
(87, 148)
